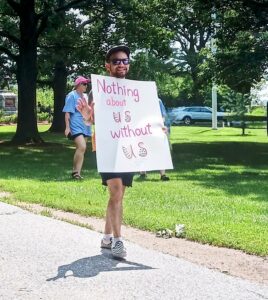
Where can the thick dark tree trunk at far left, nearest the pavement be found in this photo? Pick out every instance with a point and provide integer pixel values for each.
(27, 131)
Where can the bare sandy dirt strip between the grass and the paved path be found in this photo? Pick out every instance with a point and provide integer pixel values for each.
(228, 261)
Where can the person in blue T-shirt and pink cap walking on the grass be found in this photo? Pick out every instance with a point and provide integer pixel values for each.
(75, 128)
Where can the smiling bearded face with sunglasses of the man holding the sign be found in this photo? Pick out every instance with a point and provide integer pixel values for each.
(118, 65)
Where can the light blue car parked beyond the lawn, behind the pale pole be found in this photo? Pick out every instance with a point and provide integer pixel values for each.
(189, 115)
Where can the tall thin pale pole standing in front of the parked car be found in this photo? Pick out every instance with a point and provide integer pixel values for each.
(214, 85)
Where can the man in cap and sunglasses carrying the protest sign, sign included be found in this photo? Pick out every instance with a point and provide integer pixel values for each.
(126, 136)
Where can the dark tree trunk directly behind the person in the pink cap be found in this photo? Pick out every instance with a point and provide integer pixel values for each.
(59, 88)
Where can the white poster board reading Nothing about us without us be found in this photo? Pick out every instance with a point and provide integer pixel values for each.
(128, 125)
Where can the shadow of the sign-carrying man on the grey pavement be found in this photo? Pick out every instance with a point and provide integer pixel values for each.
(92, 266)
